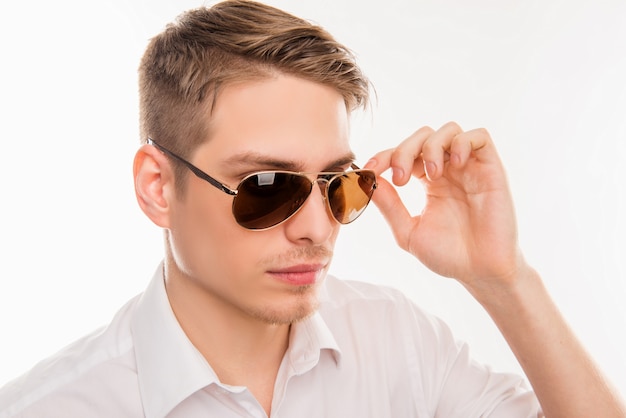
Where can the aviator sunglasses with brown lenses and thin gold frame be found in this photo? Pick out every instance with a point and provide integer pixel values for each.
(268, 198)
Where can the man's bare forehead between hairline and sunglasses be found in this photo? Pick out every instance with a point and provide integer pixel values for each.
(279, 123)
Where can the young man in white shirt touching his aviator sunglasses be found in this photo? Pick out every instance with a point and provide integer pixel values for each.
(247, 168)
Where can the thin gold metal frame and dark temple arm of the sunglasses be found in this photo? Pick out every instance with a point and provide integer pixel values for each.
(326, 177)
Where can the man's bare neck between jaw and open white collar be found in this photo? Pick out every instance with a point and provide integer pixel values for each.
(241, 349)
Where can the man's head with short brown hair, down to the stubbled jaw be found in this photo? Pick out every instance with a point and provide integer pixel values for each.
(235, 90)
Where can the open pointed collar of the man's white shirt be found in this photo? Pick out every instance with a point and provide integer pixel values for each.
(170, 368)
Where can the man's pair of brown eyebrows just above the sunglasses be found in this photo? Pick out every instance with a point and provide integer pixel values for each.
(252, 160)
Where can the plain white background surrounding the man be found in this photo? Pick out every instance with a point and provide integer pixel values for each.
(547, 78)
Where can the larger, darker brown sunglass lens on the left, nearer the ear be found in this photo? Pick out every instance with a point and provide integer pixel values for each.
(266, 199)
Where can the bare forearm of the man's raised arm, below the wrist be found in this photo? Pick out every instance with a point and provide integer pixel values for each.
(563, 375)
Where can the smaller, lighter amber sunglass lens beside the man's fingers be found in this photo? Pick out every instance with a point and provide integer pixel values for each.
(350, 193)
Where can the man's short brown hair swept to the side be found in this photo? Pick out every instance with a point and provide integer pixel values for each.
(185, 66)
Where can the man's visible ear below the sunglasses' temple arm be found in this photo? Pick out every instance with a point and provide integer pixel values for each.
(154, 184)
